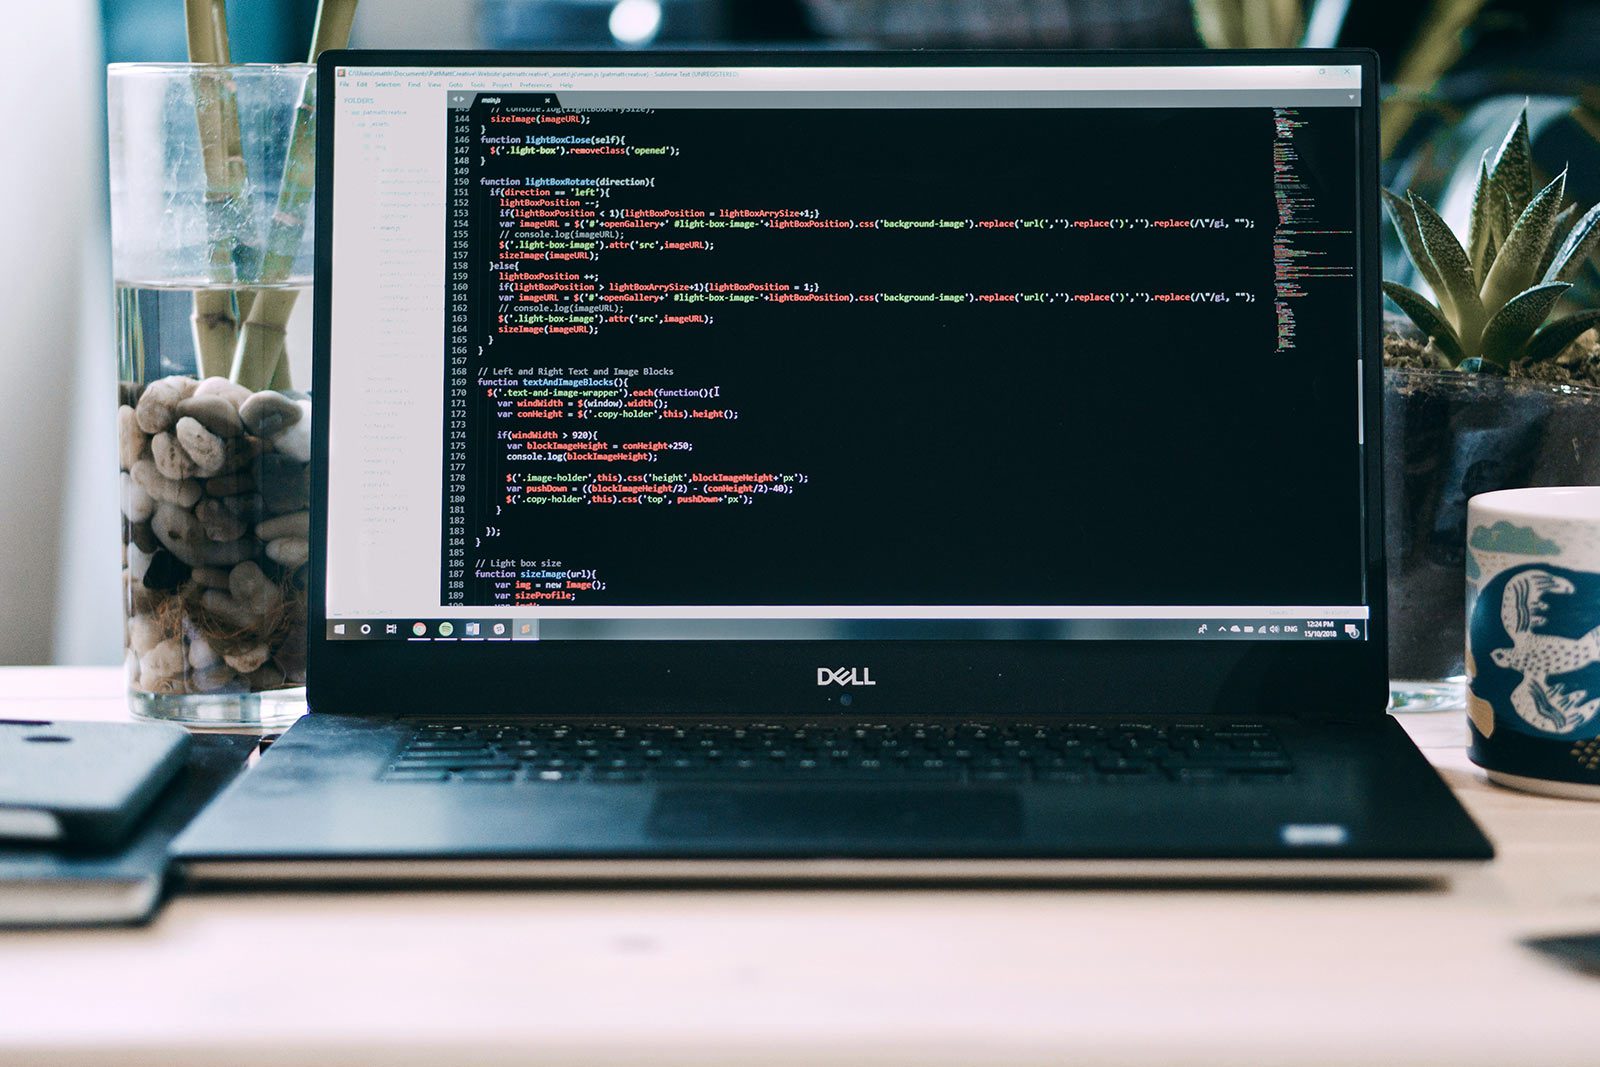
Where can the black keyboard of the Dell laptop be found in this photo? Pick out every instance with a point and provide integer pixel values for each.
(831, 753)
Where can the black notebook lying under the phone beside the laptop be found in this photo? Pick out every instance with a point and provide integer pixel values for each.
(44, 887)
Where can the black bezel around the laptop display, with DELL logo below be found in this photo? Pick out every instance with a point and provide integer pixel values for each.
(766, 679)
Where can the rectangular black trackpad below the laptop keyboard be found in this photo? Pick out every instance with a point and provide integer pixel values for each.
(844, 813)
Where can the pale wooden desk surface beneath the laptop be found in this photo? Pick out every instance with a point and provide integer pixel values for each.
(906, 977)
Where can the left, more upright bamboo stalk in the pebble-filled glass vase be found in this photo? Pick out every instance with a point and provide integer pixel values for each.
(215, 321)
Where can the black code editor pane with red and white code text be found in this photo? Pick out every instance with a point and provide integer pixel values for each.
(900, 356)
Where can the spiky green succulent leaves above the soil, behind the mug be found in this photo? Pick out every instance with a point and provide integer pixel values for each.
(1497, 290)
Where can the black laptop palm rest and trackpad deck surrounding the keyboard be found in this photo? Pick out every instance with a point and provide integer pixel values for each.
(1361, 805)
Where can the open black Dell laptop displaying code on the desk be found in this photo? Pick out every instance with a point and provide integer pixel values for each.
(846, 466)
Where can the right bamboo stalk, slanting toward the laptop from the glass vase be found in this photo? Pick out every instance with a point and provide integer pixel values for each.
(258, 356)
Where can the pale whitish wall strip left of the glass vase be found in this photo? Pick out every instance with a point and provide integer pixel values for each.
(50, 122)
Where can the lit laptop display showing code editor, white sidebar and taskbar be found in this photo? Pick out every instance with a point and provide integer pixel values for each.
(833, 353)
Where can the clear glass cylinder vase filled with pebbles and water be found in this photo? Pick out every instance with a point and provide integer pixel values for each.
(212, 257)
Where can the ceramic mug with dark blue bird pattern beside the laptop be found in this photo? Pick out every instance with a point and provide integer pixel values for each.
(1534, 639)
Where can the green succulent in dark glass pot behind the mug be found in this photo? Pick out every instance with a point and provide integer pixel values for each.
(1492, 385)
